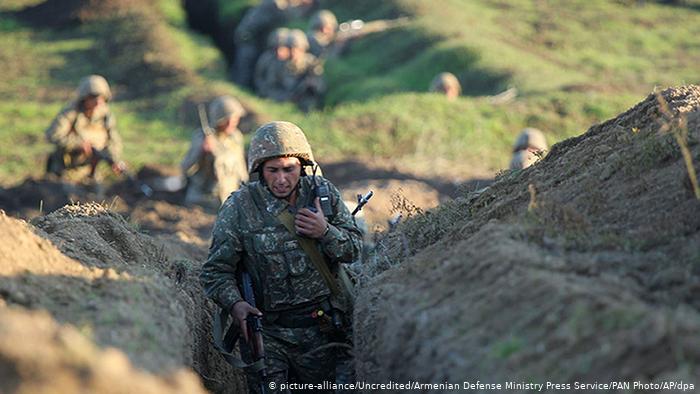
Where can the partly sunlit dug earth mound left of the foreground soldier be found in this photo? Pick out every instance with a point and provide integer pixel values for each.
(88, 267)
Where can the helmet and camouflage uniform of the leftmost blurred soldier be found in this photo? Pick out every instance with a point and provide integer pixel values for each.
(71, 127)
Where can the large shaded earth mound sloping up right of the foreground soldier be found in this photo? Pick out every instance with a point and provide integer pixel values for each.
(583, 268)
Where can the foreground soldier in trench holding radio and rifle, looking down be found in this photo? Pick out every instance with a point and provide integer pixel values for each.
(290, 242)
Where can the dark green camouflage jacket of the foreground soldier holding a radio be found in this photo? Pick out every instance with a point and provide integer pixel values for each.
(248, 233)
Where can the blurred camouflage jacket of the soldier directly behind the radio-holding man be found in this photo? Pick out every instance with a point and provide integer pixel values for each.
(227, 159)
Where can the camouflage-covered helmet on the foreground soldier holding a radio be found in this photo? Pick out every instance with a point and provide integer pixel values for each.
(278, 139)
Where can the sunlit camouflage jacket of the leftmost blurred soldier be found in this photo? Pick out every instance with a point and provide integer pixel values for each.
(70, 128)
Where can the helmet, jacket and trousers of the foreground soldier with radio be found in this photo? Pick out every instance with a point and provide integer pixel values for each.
(288, 287)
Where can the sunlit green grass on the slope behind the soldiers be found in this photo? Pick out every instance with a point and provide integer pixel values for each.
(573, 64)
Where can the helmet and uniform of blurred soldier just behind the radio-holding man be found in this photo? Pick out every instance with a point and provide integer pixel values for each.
(221, 171)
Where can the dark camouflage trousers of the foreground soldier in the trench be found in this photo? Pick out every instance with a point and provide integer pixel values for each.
(303, 356)
